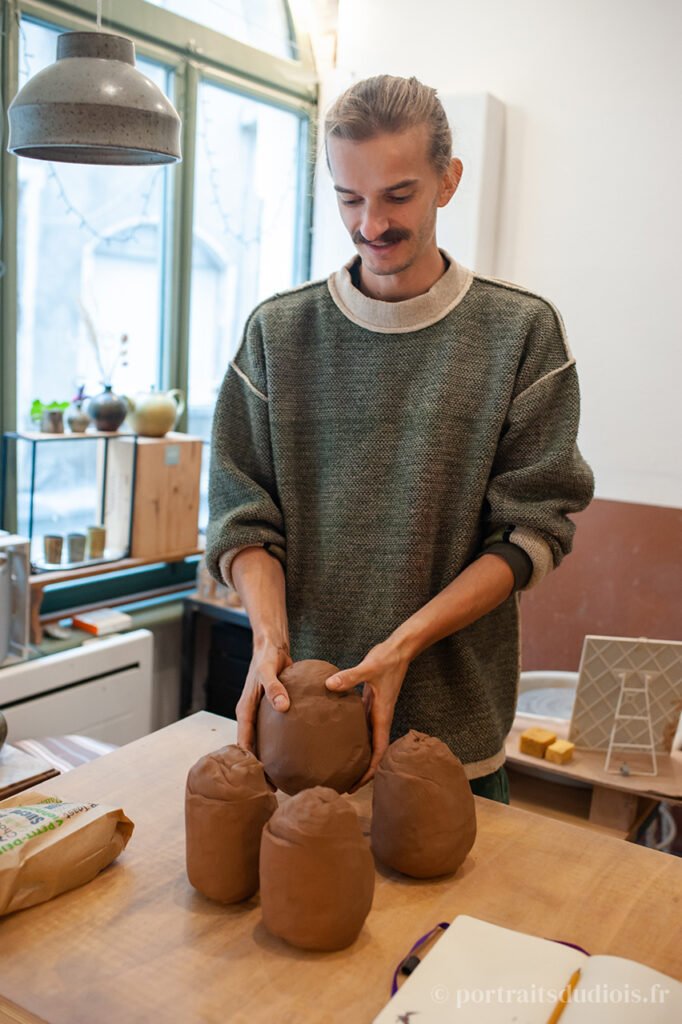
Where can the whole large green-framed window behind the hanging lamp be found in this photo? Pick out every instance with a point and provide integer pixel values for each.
(174, 259)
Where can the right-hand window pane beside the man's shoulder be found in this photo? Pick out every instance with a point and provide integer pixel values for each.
(245, 230)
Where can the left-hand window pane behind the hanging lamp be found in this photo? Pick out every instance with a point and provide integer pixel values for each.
(91, 246)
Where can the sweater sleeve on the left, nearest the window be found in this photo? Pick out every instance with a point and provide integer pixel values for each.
(244, 506)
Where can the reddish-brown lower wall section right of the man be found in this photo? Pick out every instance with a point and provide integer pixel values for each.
(624, 578)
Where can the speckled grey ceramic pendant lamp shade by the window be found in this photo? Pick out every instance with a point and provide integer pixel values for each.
(95, 107)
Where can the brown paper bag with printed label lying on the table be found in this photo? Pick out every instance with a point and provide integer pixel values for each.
(49, 846)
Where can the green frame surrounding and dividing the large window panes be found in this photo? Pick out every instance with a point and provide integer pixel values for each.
(192, 53)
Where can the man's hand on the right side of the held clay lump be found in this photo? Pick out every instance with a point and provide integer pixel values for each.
(382, 671)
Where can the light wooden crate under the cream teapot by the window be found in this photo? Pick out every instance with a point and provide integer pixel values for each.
(165, 499)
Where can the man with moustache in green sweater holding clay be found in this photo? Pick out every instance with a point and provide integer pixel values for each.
(401, 440)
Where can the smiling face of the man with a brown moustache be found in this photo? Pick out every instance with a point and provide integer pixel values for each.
(389, 194)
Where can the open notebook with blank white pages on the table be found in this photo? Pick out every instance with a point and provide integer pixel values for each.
(480, 973)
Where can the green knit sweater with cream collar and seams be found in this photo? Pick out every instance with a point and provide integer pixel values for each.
(376, 449)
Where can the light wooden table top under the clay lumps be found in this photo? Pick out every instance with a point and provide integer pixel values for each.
(138, 945)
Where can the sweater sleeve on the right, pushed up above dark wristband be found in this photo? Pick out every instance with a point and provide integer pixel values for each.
(539, 476)
